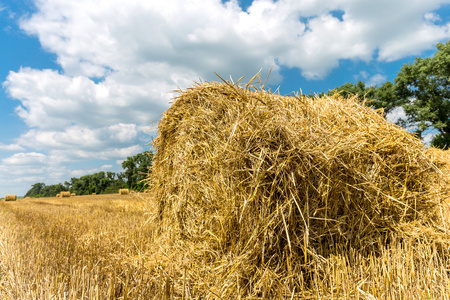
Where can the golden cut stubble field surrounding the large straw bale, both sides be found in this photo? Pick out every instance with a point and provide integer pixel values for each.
(103, 247)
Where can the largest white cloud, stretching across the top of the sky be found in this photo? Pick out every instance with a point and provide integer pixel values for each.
(198, 38)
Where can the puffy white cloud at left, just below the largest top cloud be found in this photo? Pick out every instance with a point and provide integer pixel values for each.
(50, 100)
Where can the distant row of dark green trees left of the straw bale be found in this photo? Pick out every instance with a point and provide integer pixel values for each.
(136, 169)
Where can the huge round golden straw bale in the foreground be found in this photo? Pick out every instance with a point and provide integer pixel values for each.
(256, 186)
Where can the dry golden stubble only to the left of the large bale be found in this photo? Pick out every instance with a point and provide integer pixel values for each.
(88, 248)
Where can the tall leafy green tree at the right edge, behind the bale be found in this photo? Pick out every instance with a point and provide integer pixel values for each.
(423, 89)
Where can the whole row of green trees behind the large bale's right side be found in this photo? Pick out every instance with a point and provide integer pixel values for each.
(421, 88)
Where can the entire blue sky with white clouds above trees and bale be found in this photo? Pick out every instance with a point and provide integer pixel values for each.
(83, 83)
